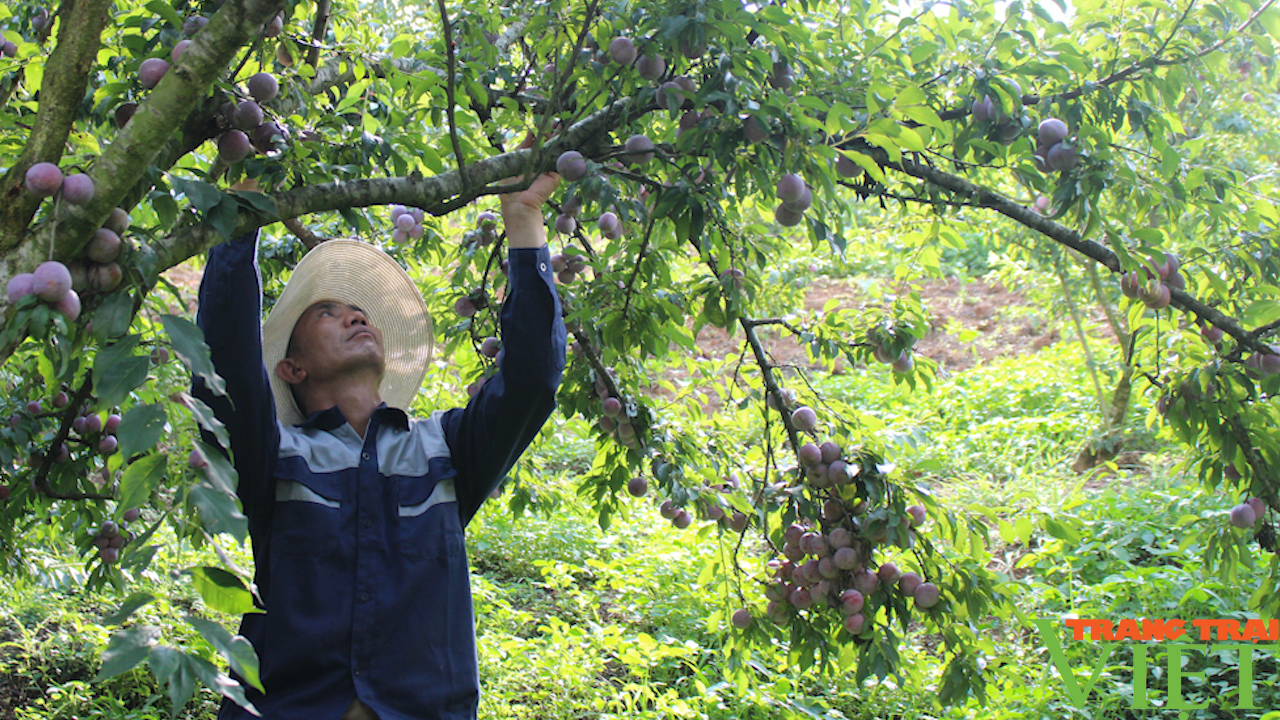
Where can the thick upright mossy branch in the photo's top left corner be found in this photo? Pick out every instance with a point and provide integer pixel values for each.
(61, 94)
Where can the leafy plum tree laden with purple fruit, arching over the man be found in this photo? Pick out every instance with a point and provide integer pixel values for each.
(716, 224)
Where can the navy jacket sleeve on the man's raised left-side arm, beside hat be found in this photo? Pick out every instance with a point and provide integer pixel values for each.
(231, 312)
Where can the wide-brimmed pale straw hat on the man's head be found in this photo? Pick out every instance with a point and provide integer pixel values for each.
(355, 274)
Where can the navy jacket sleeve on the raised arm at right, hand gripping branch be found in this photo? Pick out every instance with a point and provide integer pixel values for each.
(488, 436)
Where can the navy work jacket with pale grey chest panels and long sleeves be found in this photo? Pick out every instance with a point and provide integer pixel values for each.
(358, 543)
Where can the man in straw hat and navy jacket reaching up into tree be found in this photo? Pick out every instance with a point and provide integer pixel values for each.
(356, 512)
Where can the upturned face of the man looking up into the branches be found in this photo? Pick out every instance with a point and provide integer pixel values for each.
(332, 339)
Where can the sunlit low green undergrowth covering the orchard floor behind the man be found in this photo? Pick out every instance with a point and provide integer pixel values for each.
(575, 622)
